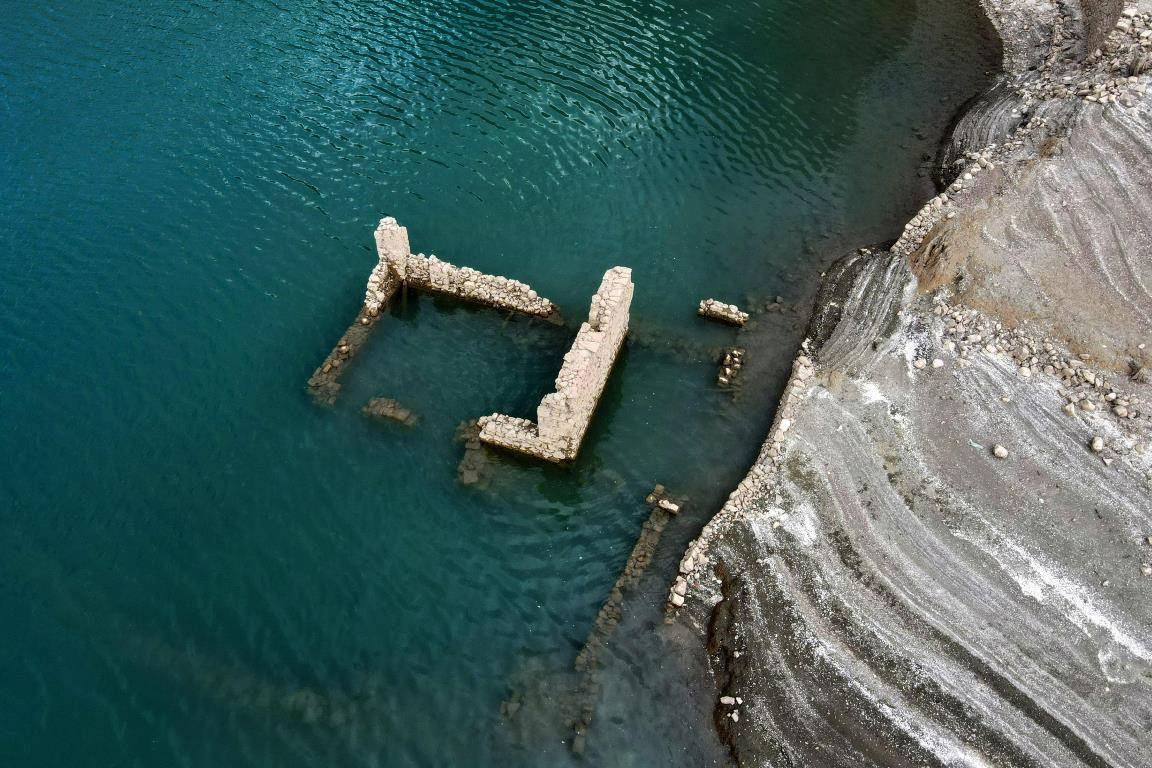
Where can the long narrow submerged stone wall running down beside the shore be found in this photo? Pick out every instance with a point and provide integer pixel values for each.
(664, 506)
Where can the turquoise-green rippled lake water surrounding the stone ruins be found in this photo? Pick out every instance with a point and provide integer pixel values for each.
(199, 567)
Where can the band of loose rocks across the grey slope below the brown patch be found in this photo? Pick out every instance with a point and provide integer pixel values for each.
(1088, 391)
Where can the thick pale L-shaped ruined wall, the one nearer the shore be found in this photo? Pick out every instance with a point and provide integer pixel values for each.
(564, 416)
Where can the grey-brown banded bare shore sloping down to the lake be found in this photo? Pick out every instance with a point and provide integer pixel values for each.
(942, 556)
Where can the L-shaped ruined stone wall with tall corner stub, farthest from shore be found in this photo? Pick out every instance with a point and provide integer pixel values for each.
(398, 267)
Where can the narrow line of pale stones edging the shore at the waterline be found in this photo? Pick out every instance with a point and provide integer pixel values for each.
(752, 491)
